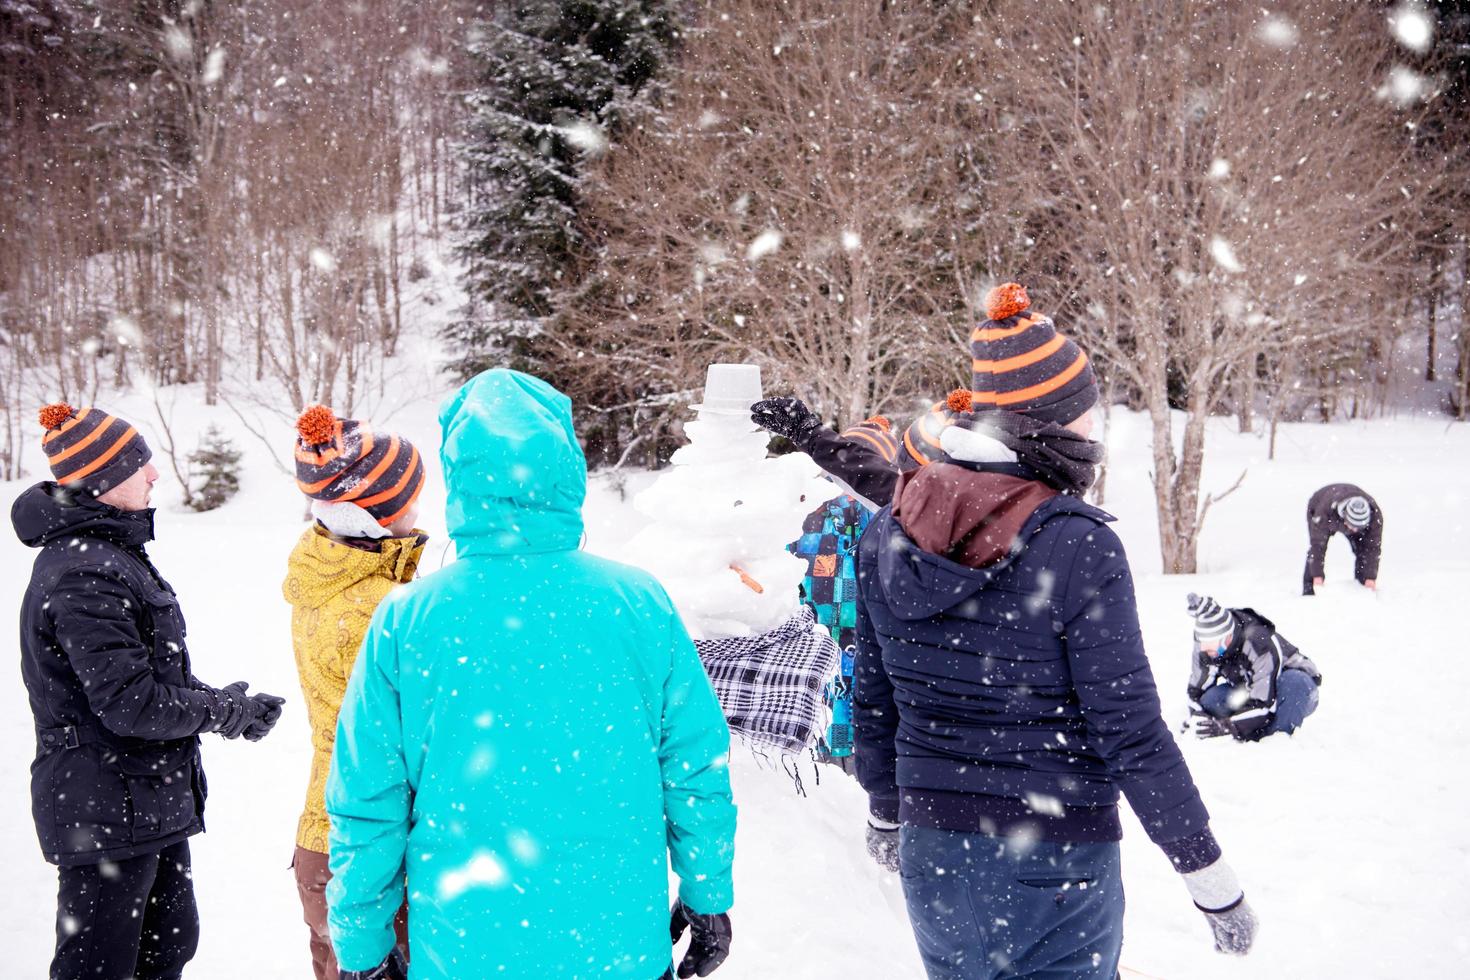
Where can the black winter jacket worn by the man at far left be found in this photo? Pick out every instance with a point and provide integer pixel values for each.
(117, 709)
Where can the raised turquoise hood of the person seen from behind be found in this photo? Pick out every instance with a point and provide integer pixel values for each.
(515, 474)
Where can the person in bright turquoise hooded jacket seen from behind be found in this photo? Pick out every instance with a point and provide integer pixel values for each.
(528, 737)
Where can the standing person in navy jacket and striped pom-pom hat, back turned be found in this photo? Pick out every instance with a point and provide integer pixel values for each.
(1003, 696)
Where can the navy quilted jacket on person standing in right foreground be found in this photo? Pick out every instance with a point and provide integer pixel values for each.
(1014, 697)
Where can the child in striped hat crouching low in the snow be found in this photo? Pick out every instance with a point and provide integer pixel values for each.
(1247, 680)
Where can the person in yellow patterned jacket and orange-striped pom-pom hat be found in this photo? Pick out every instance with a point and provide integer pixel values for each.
(365, 489)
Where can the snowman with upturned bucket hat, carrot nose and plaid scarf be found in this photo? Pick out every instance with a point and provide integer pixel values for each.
(721, 519)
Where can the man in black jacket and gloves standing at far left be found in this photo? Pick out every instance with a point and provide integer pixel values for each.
(117, 787)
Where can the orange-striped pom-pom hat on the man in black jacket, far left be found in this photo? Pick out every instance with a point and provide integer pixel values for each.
(90, 449)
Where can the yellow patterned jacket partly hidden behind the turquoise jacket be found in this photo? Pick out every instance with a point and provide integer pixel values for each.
(333, 590)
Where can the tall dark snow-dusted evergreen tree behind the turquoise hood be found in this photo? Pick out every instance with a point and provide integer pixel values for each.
(555, 77)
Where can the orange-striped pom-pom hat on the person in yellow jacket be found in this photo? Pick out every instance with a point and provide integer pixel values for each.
(345, 462)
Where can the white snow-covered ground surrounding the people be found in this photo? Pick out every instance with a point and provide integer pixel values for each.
(1352, 838)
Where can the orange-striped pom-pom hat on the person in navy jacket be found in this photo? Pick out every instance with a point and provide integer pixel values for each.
(1022, 365)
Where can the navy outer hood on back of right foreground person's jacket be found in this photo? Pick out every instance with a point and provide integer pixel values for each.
(919, 586)
